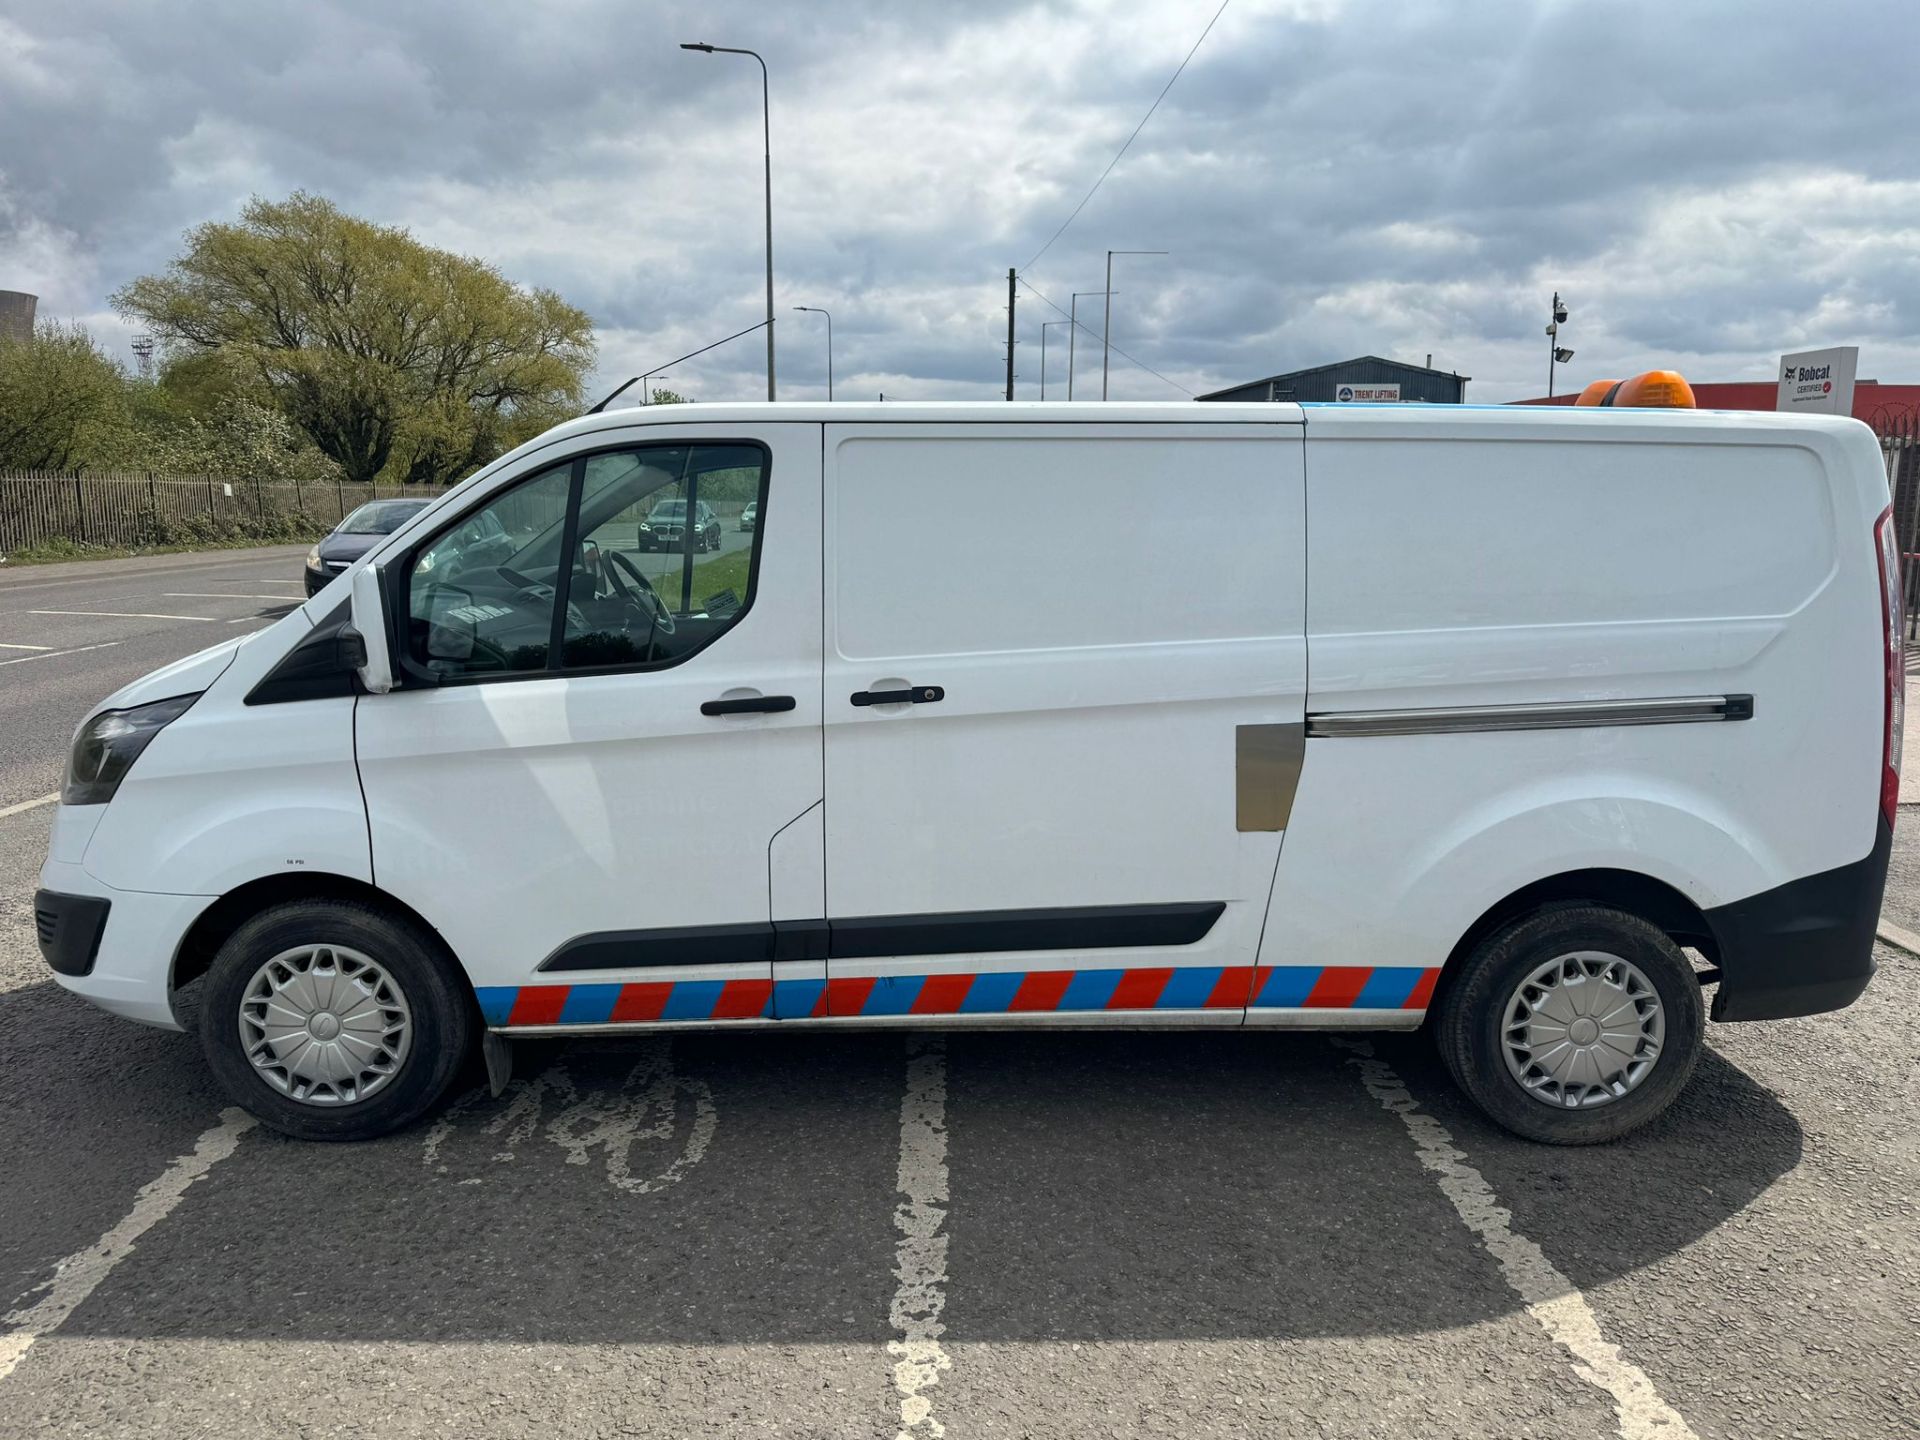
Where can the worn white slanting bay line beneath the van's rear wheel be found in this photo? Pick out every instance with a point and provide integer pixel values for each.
(1552, 1299)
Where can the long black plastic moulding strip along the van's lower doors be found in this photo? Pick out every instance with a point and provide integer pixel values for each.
(1080, 928)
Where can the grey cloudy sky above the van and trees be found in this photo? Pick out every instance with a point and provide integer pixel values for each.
(1706, 185)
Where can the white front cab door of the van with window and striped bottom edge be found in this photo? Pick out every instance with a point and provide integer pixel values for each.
(596, 742)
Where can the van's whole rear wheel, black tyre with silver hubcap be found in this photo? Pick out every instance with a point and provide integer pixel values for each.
(1573, 1026)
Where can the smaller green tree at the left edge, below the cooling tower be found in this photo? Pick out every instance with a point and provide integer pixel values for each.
(64, 402)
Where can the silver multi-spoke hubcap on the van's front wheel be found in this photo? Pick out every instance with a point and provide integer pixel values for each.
(325, 1026)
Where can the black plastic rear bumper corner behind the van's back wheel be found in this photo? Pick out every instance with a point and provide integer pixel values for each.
(1802, 948)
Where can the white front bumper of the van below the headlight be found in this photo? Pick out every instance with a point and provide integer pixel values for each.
(139, 936)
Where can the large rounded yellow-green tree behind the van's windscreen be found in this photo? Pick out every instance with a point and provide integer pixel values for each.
(389, 354)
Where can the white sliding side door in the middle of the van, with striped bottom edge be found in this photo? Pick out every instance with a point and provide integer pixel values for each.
(1111, 629)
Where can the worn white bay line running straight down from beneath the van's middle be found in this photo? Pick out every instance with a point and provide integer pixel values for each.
(921, 1253)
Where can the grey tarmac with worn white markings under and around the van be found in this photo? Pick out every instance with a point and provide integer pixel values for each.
(969, 1236)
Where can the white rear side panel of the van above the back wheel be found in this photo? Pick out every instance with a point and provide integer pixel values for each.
(1493, 562)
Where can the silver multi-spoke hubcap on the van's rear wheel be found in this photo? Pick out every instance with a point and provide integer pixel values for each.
(1583, 1030)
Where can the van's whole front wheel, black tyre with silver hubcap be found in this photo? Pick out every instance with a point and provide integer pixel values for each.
(335, 1020)
